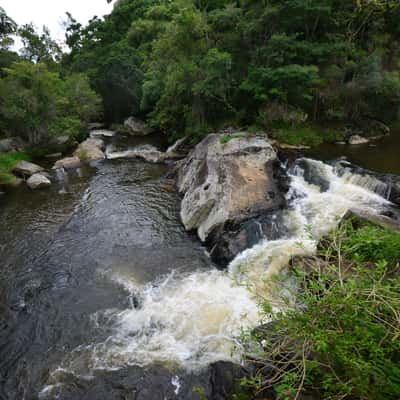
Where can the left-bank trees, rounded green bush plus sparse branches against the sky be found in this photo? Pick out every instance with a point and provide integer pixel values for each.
(37, 99)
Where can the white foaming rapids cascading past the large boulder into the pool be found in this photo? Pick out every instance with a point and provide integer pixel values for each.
(192, 320)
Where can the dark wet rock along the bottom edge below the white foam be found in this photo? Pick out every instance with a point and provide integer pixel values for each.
(220, 381)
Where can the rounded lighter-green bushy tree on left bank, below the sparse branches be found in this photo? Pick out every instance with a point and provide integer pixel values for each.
(36, 103)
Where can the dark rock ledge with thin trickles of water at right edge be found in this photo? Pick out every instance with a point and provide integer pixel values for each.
(385, 185)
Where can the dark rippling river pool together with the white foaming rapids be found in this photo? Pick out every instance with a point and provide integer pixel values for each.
(99, 281)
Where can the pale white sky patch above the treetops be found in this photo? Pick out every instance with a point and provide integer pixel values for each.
(52, 12)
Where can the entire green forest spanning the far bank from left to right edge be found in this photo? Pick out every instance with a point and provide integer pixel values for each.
(191, 67)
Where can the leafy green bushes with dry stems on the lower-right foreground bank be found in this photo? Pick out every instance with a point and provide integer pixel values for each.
(342, 339)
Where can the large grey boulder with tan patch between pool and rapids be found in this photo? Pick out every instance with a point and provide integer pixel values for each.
(225, 184)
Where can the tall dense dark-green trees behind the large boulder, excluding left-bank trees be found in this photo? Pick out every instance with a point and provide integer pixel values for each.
(193, 66)
